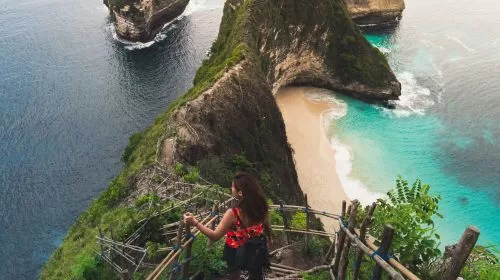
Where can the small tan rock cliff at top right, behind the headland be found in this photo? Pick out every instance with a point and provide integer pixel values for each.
(375, 12)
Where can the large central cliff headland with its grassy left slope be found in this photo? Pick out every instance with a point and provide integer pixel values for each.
(230, 115)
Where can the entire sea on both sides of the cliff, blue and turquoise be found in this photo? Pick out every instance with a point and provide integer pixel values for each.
(72, 93)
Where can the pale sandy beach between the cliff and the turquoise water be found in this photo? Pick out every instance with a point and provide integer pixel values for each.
(313, 155)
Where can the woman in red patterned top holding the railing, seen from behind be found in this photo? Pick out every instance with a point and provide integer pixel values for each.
(248, 221)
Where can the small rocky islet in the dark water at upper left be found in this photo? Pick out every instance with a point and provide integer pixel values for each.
(141, 20)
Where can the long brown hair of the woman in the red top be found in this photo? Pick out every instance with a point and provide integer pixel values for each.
(253, 204)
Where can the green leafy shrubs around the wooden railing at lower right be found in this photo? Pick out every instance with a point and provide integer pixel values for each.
(411, 210)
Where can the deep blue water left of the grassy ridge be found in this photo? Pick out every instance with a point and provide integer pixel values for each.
(70, 96)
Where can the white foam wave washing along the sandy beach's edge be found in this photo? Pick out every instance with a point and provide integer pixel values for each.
(353, 188)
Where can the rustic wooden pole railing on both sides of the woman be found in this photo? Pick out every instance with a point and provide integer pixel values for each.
(347, 236)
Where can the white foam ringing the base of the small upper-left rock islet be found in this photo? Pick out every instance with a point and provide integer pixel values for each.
(193, 6)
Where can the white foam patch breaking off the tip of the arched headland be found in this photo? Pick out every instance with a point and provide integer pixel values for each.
(414, 99)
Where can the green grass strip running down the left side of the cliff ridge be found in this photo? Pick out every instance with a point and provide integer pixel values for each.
(75, 258)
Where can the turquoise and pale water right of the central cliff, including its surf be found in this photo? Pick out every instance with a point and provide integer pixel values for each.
(445, 128)
